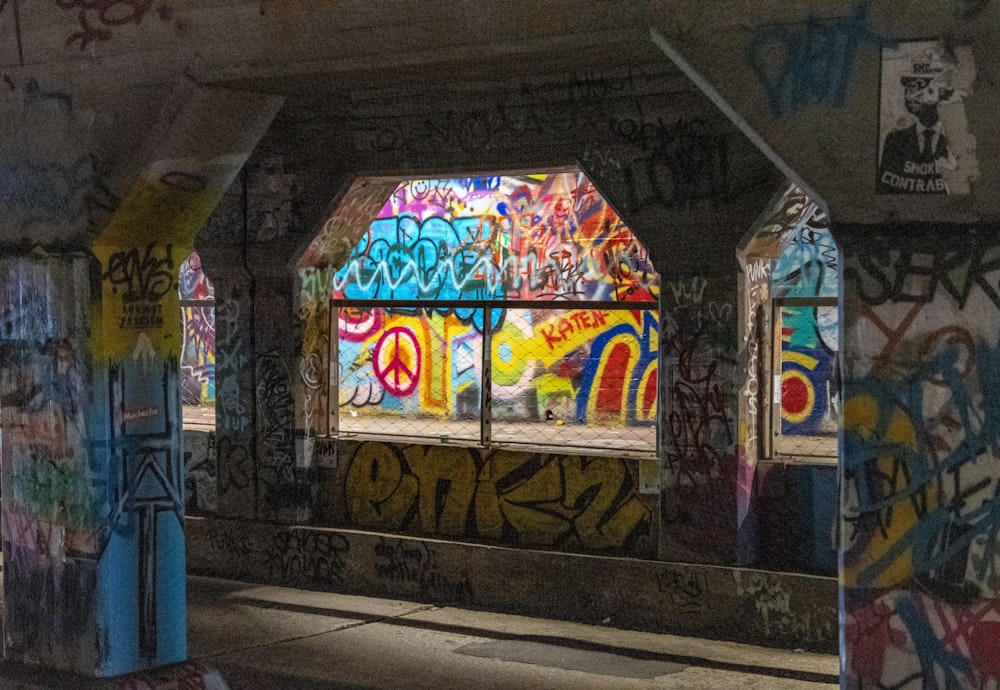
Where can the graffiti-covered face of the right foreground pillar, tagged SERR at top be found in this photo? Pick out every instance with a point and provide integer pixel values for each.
(921, 436)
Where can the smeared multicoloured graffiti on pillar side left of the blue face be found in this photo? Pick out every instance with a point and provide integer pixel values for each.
(53, 496)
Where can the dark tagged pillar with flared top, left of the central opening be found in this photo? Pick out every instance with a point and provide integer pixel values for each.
(268, 388)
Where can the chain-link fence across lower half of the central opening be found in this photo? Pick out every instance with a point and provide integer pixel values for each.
(581, 378)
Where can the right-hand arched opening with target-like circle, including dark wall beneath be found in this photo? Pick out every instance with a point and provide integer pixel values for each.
(791, 403)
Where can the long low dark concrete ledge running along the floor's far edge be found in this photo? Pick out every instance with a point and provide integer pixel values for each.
(736, 604)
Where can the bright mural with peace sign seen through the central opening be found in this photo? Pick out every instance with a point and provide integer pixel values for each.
(543, 238)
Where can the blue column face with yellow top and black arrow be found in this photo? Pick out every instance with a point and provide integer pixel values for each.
(136, 348)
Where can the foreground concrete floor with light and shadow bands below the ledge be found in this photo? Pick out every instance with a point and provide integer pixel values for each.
(273, 638)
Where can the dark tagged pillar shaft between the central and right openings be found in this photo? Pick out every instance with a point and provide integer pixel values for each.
(698, 420)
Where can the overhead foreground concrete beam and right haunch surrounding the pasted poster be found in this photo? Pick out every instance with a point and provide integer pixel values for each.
(827, 133)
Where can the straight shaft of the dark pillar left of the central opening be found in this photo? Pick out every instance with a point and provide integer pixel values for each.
(262, 467)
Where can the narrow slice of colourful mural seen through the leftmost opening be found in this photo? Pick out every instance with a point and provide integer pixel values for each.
(198, 332)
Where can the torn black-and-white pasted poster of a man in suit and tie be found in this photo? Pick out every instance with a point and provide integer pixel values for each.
(924, 142)
